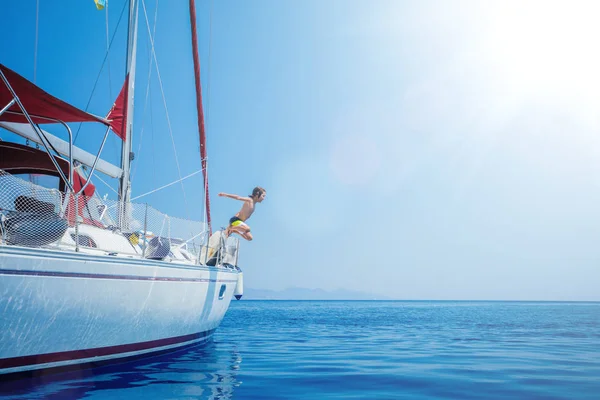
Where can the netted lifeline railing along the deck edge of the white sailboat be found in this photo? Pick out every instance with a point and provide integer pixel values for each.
(34, 216)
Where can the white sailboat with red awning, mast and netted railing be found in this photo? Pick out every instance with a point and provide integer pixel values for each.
(85, 280)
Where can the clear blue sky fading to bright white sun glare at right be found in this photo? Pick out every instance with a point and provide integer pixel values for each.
(417, 150)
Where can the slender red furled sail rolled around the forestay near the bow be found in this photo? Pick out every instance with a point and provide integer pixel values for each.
(200, 111)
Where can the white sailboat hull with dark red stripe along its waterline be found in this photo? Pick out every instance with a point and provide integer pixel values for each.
(64, 308)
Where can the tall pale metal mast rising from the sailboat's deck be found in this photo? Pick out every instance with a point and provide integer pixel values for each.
(126, 154)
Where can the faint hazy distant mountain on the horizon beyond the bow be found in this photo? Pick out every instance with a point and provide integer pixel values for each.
(296, 293)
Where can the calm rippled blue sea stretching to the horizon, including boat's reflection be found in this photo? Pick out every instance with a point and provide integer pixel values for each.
(367, 350)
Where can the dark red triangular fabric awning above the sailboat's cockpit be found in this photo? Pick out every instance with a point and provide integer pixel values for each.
(37, 103)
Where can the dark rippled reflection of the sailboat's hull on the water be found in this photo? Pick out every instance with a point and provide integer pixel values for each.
(205, 371)
